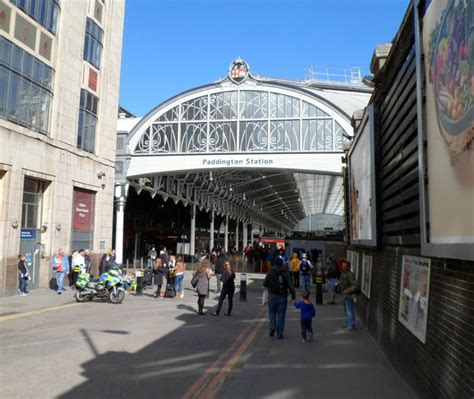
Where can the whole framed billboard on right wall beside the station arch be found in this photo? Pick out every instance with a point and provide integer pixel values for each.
(362, 183)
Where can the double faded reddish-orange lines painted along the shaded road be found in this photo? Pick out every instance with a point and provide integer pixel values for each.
(212, 379)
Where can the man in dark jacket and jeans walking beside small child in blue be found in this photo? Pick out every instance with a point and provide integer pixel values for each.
(278, 281)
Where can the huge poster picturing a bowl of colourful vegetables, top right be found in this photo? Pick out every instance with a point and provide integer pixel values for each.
(448, 45)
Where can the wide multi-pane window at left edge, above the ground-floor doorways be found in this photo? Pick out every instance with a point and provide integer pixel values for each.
(26, 86)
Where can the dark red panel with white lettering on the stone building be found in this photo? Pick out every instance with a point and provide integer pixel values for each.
(83, 205)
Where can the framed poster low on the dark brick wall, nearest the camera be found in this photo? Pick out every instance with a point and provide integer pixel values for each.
(414, 290)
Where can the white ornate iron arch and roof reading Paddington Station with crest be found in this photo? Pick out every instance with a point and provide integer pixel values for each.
(261, 151)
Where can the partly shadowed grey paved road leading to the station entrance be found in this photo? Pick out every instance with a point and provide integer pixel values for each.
(146, 347)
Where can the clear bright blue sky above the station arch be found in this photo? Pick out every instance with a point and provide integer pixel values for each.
(170, 46)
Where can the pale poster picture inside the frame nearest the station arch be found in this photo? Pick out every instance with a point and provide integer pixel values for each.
(360, 187)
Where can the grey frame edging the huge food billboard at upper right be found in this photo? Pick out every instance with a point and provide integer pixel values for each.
(464, 251)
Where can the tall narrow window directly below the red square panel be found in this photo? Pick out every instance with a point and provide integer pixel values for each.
(87, 121)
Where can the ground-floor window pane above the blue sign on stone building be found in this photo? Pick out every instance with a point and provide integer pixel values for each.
(32, 204)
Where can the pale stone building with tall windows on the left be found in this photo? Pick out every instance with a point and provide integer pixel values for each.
(59, 88)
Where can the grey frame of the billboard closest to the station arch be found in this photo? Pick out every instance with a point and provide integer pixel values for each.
(369, 118)
